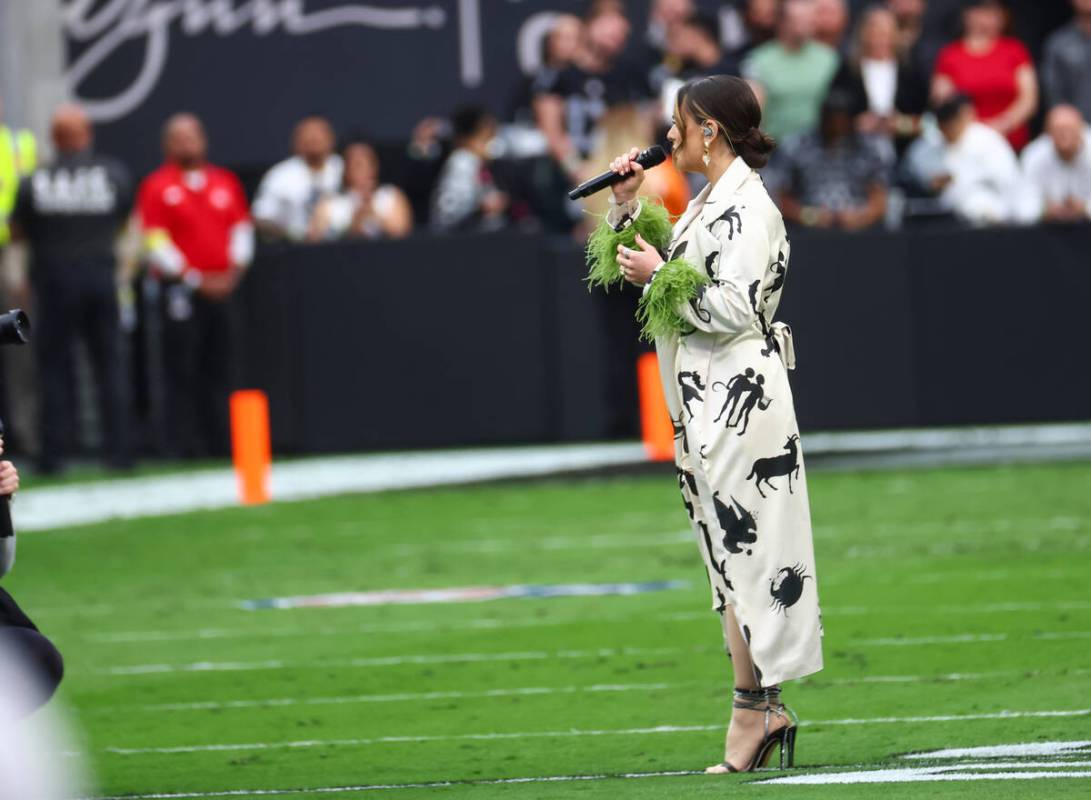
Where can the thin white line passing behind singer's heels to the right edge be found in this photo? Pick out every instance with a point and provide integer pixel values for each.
(577, 733)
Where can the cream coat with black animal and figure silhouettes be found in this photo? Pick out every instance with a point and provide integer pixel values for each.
(737, 443)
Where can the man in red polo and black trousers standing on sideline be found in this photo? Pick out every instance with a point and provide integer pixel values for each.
(199, 241)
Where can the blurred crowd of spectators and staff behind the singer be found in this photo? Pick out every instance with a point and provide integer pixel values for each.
(880, 122)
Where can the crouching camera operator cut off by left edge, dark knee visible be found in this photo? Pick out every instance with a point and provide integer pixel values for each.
(19, 637)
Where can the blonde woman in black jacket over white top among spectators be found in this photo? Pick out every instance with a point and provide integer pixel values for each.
(890, 95)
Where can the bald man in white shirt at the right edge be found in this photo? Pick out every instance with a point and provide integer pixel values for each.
(1058, 168)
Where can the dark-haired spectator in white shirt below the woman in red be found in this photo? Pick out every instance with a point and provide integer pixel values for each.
(969, 165)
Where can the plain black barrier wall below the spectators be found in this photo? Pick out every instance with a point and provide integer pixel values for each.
(439, 342)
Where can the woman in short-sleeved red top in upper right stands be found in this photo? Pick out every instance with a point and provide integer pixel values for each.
(993, 70)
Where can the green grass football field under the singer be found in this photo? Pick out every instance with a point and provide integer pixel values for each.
(957, 594)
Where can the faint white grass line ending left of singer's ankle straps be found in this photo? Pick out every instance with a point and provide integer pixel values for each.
(409, 697)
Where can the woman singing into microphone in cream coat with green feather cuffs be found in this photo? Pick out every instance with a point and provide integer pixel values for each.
(725, 371)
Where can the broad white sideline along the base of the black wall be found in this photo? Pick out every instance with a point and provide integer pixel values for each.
(316, 477)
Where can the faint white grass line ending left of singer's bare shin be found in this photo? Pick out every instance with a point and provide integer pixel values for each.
(394, 661)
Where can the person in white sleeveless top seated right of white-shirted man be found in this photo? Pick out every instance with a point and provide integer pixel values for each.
(365, 208)
